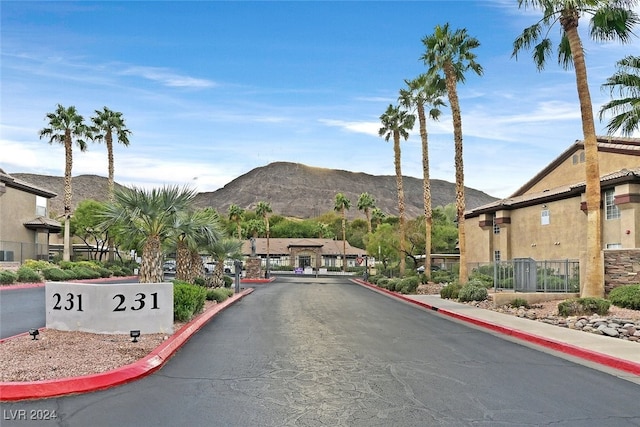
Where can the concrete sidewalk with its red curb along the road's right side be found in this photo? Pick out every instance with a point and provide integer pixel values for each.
(611, 352)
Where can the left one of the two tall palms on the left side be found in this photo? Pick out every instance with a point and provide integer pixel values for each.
(65, 125)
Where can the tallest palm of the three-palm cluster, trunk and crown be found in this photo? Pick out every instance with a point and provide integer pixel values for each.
(451, 53)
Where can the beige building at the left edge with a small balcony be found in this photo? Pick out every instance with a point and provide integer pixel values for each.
(24, 222)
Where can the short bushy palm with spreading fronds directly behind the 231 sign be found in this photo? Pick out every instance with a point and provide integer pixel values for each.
(148, 216)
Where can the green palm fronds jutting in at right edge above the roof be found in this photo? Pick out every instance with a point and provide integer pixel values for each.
(627, 108)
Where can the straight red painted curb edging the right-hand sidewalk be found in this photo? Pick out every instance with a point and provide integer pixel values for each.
(593, 356)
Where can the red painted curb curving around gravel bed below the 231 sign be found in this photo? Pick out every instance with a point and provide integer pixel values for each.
(13, 391)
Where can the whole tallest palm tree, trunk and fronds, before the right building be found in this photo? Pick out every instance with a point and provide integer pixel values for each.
(610, 19)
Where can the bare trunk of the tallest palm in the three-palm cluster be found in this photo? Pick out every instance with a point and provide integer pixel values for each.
(459, 165)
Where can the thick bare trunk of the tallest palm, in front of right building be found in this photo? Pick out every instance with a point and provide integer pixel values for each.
(594, 280)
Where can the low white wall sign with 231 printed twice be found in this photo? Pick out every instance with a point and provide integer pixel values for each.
(110, 308)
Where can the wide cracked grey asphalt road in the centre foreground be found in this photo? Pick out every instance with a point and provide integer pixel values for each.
(327, 352)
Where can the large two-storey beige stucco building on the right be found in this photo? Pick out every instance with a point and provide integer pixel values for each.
(546, 218)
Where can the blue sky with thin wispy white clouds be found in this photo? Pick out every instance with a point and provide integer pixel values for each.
(213, 89)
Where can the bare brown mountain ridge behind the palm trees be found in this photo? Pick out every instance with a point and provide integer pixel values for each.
(292, 189)
